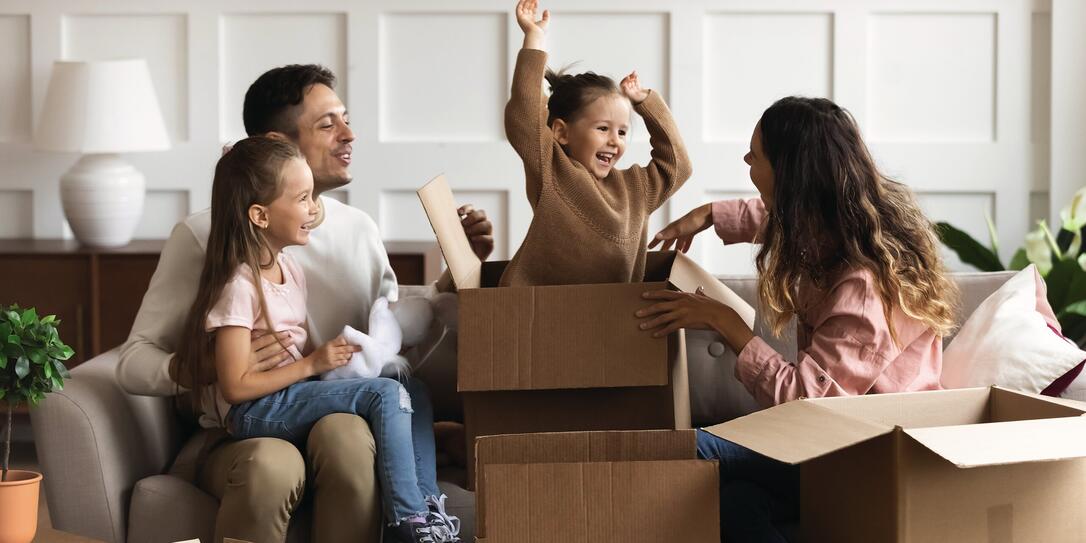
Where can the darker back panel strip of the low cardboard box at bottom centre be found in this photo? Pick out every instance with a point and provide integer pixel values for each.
(559, 448)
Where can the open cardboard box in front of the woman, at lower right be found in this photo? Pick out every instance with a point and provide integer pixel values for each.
(986, 465)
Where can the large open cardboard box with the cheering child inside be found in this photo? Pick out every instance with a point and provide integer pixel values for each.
(564, 358)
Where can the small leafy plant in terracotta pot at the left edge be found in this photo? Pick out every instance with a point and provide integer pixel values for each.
(32, 365)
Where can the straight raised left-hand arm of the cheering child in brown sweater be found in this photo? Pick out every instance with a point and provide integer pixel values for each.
(526, 113)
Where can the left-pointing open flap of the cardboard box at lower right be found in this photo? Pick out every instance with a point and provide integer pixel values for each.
(799, 432)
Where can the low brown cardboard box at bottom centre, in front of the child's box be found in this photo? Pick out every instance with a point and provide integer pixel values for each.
(596, 487)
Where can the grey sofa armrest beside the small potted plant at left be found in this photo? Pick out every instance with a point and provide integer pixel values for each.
(95, 443)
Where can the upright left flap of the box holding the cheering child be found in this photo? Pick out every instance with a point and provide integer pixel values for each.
(440, 208)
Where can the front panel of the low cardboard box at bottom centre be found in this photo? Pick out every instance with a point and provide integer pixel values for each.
(630, 502)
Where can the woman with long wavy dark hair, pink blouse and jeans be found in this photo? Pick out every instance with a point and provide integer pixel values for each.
(850, 255)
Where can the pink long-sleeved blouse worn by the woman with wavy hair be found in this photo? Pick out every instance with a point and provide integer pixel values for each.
(842, 334)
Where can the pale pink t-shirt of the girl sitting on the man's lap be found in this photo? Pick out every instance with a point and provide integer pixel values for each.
(241, 307)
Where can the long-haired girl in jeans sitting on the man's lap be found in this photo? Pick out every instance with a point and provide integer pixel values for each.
(262, 203)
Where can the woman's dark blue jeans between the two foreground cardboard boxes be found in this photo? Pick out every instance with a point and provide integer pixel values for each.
(757, 494)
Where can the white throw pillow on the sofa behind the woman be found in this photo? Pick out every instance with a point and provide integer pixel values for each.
(1007, 342)
